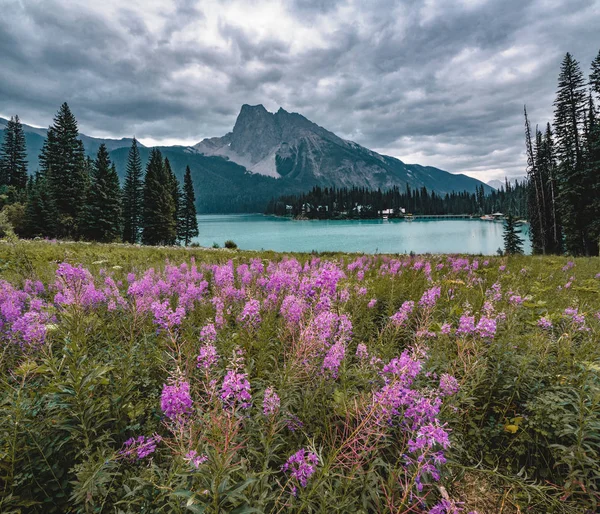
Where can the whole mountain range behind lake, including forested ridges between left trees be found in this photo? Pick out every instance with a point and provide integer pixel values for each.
(267, 155)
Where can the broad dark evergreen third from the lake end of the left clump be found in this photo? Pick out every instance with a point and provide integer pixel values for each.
(158, 225)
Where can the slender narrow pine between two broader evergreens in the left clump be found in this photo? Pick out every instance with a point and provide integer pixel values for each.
(133, 196)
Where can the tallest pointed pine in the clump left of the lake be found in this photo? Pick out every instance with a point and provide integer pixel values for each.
(63, 162)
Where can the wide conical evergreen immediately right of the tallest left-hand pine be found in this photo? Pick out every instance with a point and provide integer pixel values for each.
(101, 217)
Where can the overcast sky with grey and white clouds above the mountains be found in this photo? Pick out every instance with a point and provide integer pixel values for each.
(436, 82)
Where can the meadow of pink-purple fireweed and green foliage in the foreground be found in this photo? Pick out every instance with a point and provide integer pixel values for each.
(172, 380)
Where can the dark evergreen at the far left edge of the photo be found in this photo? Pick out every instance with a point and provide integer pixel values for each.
(13, 156)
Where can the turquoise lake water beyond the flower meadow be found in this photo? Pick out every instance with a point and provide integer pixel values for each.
(258, 232)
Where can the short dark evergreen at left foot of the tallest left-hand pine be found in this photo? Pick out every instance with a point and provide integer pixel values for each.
(40, 211)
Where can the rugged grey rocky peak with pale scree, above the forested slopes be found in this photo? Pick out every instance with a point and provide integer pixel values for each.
(289, 147)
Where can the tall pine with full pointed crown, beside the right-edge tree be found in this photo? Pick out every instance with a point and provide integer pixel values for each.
(569, 115)
